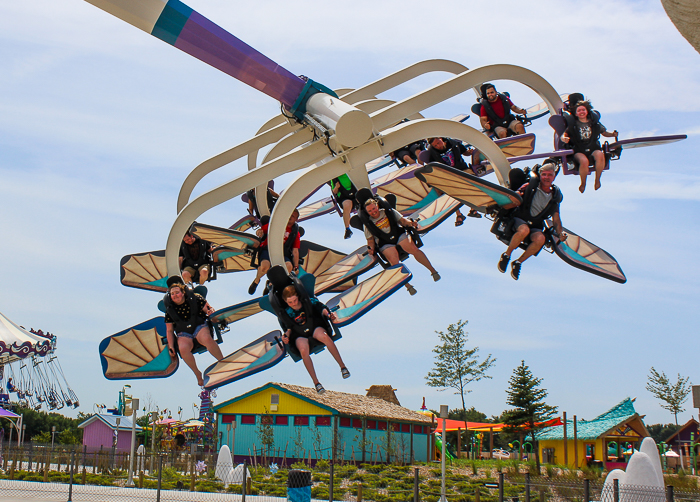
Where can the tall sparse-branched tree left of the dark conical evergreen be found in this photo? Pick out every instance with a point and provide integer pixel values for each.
(456, 366)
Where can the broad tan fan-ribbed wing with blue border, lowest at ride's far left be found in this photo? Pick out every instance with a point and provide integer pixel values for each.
(138, 352)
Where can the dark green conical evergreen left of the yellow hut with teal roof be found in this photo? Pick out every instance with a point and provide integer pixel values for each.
(529, 409)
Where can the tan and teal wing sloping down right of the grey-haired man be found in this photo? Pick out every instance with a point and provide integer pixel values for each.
(584, 255)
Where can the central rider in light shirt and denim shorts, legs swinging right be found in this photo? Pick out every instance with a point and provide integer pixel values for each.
(385, 229)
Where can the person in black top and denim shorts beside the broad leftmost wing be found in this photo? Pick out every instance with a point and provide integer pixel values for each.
(186, 316)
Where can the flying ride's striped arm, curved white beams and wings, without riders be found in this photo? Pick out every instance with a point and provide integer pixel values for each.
(326, 133)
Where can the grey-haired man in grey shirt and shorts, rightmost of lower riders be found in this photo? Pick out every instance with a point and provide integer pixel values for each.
(540, 201)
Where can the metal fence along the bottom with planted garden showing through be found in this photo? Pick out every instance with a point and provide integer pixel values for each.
(64, 475)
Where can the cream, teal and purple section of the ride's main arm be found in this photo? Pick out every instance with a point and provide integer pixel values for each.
(177, 24)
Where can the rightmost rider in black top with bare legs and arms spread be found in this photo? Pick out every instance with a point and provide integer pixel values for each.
(583, 134)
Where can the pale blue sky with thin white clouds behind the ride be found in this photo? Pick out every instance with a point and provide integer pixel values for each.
(100, 123)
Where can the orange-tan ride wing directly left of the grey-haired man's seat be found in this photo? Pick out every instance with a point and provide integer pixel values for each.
(468, 189)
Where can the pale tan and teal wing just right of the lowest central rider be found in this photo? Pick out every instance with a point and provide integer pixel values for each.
(352, 304)
